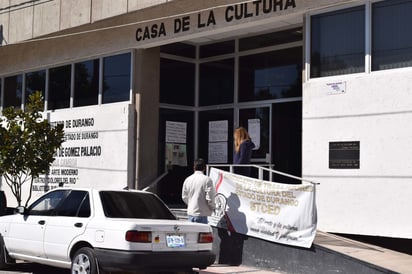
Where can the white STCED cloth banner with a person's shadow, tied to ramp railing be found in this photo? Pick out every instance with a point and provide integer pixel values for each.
(281, 213)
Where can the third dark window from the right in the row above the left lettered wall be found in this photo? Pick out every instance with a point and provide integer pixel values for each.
(59, 87)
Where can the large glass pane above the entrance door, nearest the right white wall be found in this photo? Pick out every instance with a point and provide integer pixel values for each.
(271, 75)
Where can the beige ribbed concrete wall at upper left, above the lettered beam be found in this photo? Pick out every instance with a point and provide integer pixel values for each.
(27, 19)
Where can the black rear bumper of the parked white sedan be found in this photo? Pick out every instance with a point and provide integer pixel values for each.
(116, 260)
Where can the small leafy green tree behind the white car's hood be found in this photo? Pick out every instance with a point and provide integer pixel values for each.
(28, 144)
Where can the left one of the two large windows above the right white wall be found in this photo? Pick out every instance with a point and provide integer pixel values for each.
(338, 42)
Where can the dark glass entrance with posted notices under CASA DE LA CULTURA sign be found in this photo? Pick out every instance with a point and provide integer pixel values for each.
(233, 83)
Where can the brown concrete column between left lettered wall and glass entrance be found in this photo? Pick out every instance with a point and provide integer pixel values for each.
(146, 94)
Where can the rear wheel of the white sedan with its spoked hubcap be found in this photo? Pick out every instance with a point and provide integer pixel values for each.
(85, 262)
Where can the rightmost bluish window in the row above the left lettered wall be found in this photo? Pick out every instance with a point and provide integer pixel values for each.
(116, 78)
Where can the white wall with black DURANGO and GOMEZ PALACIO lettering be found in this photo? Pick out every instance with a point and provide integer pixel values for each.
(107, 132)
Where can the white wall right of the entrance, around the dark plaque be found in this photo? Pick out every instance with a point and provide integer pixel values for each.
(375, 110)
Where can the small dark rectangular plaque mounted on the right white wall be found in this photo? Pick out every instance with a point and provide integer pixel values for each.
(344, 155)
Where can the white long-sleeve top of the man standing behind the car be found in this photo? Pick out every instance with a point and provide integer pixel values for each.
(198, 193)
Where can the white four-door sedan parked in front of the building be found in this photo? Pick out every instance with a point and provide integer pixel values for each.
(94, 231)
